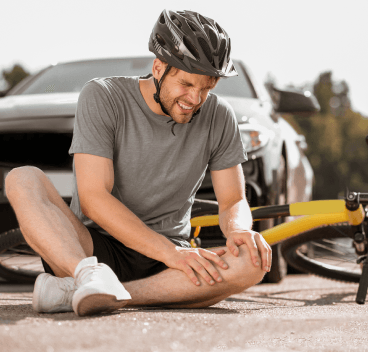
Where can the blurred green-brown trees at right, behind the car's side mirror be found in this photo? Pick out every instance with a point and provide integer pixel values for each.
(336, 141)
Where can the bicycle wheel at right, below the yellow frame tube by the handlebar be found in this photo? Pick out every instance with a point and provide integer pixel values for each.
(325, 251)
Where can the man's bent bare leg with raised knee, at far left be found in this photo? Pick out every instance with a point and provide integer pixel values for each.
(47, 223)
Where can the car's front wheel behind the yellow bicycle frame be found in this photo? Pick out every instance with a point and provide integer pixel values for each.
(279, 265)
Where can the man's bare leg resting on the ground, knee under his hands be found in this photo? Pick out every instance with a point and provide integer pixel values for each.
(172, 288)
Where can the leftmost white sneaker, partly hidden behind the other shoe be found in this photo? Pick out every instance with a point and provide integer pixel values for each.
(53, 294)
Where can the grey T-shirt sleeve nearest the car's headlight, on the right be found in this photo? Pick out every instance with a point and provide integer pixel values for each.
(227, 146)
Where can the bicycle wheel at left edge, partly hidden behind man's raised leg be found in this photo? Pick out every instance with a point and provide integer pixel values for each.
(18, 261)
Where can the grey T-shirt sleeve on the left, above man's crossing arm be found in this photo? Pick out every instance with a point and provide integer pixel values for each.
(95, 122)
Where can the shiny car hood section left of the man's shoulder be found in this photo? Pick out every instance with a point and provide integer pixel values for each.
(38, 105)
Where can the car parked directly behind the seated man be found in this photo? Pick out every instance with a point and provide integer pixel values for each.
(37, 118)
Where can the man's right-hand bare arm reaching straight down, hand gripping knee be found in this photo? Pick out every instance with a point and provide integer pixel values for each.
(235, 217)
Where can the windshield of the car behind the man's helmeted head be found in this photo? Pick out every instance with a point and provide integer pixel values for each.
(70, 77)
